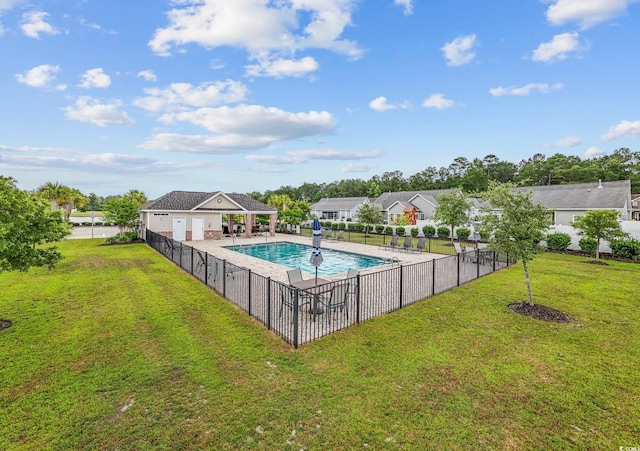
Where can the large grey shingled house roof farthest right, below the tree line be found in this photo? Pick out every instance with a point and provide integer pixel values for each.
(582, 195)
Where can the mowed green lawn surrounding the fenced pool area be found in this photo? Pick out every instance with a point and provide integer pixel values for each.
(119, 349)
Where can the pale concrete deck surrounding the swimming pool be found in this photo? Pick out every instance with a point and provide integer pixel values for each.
(279, 273)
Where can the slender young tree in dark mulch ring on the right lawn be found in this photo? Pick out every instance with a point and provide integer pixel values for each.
(519, 226)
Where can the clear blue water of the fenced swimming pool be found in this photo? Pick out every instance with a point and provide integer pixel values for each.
(295, 255)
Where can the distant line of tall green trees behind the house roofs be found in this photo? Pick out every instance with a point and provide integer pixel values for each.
(474, 176)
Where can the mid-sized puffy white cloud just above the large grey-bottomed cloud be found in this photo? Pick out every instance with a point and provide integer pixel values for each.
(179, 96)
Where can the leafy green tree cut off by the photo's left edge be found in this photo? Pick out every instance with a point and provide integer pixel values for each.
(26, 222)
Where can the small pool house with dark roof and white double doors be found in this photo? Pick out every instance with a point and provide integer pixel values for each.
(188, 215)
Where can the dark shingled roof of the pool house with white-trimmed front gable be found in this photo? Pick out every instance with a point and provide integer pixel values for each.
(190, 200)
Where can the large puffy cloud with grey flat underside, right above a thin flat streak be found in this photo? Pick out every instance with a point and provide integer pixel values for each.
(257, 121)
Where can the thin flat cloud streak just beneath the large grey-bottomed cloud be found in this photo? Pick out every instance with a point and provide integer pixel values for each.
(205, 144)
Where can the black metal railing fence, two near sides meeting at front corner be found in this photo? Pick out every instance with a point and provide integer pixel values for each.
(301, 316)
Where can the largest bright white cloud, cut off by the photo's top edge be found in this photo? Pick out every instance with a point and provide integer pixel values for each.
(269, 31)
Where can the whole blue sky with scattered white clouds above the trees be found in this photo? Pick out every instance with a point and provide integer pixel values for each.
(245, 95)
